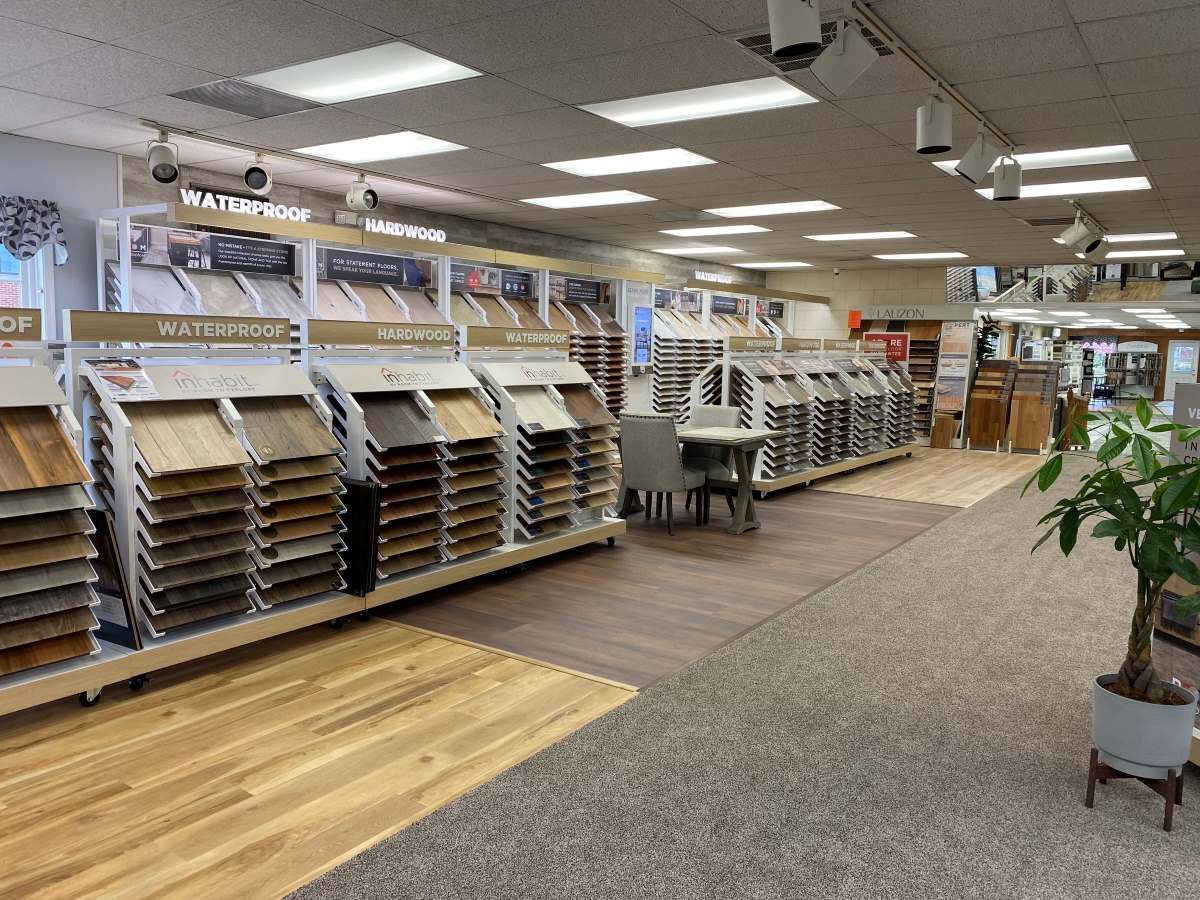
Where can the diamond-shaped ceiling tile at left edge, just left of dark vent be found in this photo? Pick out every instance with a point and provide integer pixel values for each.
(106, 76)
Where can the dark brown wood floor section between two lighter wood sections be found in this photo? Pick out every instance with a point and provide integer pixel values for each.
(649, 607)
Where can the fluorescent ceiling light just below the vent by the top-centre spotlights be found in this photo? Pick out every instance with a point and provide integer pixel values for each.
(735, 98)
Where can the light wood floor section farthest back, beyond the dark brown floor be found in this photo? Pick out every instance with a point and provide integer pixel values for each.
(956, 478)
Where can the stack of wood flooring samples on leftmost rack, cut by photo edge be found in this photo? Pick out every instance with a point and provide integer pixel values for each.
(46, 598)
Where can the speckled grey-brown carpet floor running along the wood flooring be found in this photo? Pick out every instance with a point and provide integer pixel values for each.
(919, 730)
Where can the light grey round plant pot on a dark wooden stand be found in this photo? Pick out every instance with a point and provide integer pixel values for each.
(1139, 739)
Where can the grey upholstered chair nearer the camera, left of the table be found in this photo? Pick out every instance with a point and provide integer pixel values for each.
(651, 461)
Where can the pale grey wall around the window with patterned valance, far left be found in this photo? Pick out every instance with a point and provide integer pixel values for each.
(83, 183)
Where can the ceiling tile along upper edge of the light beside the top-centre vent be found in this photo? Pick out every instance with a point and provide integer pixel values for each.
(695, 63)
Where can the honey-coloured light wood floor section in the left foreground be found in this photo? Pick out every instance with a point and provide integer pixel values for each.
(249, 775)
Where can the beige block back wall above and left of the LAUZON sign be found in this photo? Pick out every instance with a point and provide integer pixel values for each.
(856, 290)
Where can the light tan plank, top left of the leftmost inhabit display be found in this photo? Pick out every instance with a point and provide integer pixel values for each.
(183, 435)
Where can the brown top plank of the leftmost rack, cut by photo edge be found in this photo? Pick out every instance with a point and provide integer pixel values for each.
(35, 452)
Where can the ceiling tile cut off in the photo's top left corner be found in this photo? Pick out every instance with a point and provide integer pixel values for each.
(106, 21)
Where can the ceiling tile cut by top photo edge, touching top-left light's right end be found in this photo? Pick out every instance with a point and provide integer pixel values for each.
(560, 32)
